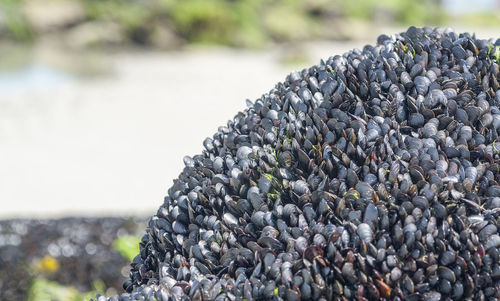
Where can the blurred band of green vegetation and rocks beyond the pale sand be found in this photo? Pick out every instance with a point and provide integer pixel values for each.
(241, 23)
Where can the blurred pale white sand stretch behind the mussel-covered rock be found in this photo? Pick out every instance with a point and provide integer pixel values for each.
(113, 145)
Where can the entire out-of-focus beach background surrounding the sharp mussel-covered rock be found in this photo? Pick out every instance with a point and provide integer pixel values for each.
(101, 99)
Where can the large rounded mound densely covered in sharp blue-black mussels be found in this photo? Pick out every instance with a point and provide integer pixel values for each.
(373, 175)
